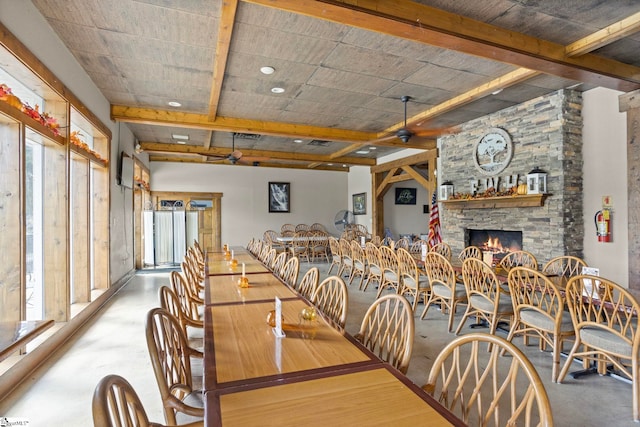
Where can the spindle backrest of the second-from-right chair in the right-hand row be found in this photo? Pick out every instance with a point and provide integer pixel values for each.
(533, 292)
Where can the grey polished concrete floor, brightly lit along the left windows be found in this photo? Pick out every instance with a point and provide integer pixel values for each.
(60, 392)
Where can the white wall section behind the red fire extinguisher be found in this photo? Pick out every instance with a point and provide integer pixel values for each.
(605, 174)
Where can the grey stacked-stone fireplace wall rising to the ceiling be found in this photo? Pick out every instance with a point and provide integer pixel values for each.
(546, 133)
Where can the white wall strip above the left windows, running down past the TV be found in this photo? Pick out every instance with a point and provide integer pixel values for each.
(26, 23)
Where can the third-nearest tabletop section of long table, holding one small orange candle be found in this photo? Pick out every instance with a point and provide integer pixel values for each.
(262, 287)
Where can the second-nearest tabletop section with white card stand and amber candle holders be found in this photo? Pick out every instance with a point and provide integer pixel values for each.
(240, 347)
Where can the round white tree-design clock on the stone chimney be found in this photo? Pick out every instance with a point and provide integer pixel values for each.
(493, 152)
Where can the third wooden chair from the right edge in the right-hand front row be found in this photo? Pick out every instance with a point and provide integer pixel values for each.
(485, 297)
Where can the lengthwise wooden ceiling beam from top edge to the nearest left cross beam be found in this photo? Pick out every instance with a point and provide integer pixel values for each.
(225, 30)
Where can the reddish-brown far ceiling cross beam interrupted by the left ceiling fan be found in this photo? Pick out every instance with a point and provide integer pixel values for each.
(161, 147)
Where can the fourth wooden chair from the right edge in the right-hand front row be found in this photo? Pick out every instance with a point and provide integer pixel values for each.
(445, 288)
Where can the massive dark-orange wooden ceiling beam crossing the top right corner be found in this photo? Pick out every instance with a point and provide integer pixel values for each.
(424, 24)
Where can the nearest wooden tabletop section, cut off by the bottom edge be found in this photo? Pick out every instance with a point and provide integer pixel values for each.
(375, 395)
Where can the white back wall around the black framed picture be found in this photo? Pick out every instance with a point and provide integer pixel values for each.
(316, 196)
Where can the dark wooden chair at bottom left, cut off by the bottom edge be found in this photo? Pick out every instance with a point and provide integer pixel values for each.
(116, 404)
